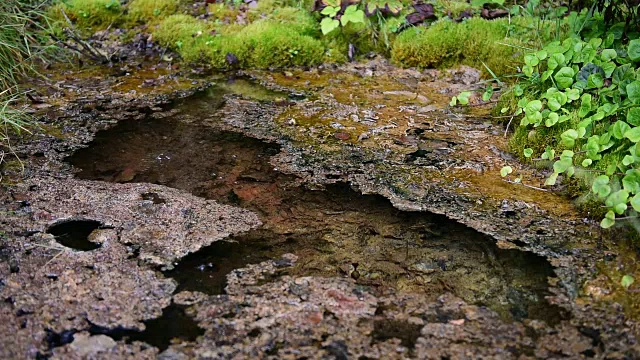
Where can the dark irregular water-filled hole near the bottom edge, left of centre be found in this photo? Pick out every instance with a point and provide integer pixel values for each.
(173, 325)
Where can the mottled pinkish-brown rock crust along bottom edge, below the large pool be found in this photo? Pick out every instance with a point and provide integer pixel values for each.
(319, 318)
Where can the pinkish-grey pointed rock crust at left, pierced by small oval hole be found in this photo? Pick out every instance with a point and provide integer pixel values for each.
(58, 289)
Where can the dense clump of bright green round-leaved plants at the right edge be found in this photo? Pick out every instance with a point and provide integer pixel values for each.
(587, 93)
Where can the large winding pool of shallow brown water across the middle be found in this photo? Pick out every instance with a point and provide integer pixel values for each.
(335, 230)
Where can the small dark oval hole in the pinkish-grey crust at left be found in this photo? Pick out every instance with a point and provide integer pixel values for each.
(75, 233)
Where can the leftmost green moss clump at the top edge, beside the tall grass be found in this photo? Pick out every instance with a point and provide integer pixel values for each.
(88, 15)
